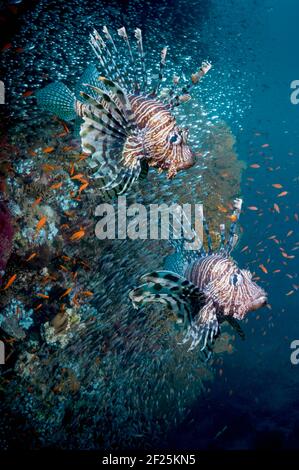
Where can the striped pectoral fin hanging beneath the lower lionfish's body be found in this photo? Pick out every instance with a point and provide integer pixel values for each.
(204, 329)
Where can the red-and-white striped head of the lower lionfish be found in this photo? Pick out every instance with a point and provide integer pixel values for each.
(236, 293)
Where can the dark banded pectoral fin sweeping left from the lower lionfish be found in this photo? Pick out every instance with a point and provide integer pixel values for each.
(178, 294)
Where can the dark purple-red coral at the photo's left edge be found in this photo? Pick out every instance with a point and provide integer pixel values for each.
(6, 235)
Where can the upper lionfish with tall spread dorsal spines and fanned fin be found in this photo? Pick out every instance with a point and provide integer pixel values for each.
(126, 126)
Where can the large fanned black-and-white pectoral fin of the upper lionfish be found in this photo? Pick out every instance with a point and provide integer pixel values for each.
(109, 134)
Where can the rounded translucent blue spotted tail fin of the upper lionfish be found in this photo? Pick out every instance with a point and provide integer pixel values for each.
(58, 99)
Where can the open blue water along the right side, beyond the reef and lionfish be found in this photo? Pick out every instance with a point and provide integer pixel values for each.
(255, 401)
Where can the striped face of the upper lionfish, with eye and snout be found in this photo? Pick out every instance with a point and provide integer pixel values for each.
(181, 156)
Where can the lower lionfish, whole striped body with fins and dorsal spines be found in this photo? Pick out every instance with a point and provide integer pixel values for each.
(204, 288)
